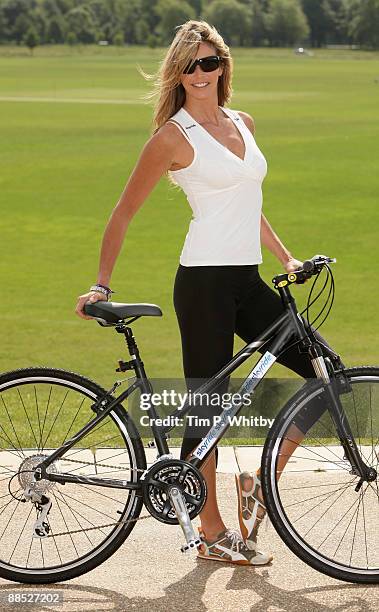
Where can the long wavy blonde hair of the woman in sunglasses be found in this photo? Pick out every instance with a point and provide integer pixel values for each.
(168, 92)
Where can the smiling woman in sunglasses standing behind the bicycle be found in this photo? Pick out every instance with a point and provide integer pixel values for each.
(209, 150)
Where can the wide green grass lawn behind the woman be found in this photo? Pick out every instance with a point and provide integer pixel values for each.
(64, 163)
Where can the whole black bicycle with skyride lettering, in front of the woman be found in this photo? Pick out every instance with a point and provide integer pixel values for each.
(74, 477)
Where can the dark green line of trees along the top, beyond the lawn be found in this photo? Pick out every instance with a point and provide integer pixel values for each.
(250, 23)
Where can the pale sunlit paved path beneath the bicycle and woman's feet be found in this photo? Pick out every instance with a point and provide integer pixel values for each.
(149, 573)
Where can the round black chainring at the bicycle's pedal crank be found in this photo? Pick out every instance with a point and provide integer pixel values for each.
(183, 475)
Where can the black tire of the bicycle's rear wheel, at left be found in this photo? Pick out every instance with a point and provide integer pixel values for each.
(135, 450)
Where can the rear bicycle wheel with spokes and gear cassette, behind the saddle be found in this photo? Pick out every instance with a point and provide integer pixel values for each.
(40, 408)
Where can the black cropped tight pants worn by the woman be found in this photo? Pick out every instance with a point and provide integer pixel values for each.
(212, 303)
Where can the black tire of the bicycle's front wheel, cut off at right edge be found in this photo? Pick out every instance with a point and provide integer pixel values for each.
(270, 486)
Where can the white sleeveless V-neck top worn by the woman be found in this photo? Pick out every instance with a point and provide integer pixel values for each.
(225, 195)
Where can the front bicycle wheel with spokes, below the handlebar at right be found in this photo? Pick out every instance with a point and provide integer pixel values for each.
(309, 487)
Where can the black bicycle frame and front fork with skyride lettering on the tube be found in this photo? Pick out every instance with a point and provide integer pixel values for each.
(287, 326)
